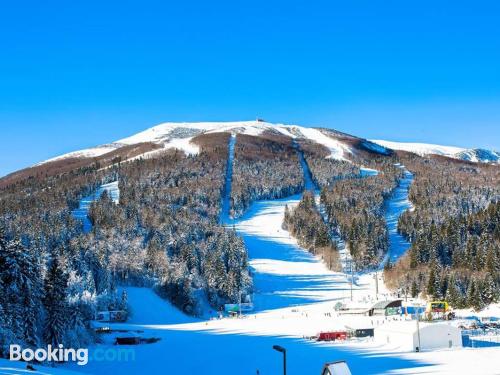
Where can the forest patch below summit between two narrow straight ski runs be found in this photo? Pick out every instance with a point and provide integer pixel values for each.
(265, 167)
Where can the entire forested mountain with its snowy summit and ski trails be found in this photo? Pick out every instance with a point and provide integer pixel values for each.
(206, 214)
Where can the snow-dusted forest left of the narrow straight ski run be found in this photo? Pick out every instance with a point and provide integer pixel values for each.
(163, 234)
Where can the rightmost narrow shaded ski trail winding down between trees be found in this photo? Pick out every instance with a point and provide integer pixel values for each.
(395, 206)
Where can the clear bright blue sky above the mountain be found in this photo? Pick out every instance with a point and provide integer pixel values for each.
(75, 74)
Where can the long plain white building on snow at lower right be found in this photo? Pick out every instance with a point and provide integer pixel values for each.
(405, 335)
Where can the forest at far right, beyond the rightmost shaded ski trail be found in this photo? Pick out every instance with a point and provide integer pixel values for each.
(454, 230)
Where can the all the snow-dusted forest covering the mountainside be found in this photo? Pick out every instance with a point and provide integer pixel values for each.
(166, 231)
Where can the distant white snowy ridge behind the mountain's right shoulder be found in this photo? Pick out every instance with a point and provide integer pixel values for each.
(477, 155)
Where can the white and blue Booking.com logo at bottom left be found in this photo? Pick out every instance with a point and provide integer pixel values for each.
(81, 356)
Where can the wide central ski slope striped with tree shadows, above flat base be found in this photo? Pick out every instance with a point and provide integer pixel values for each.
(284, 274)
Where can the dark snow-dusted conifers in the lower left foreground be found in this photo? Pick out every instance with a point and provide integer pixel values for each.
(43, 299)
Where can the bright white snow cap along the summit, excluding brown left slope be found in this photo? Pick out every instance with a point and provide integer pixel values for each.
(180, 136)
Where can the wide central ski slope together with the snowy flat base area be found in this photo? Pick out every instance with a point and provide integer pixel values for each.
(284, 275)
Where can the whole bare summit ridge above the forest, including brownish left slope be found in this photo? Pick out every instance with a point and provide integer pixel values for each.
(182, 136)
